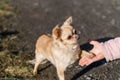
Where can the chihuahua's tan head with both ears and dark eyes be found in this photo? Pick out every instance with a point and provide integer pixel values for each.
(66, 33)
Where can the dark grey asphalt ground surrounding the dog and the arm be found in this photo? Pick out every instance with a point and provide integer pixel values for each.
(95, 19)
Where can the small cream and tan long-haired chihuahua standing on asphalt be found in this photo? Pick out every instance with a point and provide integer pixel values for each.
(61, 48)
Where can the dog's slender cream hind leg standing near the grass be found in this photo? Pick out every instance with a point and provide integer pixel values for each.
(39, 59)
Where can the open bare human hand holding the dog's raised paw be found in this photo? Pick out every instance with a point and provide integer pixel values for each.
(97, 51)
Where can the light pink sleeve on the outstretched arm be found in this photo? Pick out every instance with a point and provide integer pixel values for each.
(111, 49)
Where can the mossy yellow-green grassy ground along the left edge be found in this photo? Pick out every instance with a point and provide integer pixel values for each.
(12, 61)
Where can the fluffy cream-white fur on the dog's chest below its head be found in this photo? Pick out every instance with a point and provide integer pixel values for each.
(64, 55)
